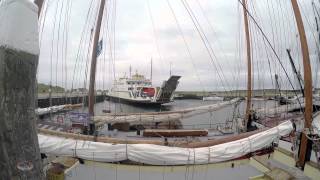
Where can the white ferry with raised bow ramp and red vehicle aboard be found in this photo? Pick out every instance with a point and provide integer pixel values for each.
(138, 90)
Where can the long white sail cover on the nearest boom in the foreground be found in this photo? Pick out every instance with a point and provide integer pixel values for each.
(161, 155)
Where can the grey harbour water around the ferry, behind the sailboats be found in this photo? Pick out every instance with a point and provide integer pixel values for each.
(206, 120)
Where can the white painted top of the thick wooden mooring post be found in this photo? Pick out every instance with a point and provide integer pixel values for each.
(18, 25)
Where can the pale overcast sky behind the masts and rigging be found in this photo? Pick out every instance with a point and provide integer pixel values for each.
(209, 55)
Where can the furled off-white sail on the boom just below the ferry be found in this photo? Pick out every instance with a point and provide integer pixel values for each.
(164, 117)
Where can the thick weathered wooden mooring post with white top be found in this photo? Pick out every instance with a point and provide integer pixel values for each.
(19, 52)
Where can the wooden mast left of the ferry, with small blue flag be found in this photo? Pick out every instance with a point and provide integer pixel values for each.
(91, 96)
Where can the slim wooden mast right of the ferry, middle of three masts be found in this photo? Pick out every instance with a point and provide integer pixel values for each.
(248, 47)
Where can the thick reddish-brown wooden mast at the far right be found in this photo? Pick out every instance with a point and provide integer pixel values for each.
(307, 83)
